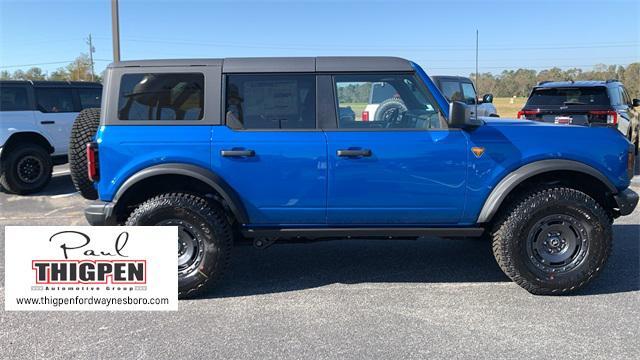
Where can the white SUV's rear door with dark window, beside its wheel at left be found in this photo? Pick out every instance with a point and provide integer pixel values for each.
(55, 112)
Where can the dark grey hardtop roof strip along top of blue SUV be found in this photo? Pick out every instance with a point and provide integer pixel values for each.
(282, 64)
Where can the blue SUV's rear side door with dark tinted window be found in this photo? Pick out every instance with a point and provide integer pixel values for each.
(271, 150)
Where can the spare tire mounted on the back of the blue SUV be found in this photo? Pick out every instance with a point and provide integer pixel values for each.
(83, 132)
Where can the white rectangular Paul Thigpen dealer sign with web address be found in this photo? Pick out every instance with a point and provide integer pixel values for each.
(91, 268)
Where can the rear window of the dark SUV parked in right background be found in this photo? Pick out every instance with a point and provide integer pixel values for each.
(569, 96)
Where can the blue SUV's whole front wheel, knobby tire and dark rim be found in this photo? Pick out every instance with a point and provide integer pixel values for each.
(553, 240)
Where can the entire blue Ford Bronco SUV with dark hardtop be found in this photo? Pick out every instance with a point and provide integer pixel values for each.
(255, 149)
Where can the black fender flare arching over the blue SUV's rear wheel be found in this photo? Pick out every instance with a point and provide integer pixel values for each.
(208, 177)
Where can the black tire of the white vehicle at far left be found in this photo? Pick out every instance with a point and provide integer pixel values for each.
(20, 156)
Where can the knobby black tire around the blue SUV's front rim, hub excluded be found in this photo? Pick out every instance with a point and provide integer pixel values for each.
(511, 238)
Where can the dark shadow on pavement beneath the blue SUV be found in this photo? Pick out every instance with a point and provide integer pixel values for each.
(290, 267)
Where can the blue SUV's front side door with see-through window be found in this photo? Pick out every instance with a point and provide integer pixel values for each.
(403, 168)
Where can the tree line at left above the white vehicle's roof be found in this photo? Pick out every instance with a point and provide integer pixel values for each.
(78, 70)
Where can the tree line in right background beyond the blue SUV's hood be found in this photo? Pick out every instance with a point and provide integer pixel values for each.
(519, 82)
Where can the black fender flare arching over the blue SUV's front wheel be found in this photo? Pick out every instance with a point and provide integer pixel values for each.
(514, 178)
